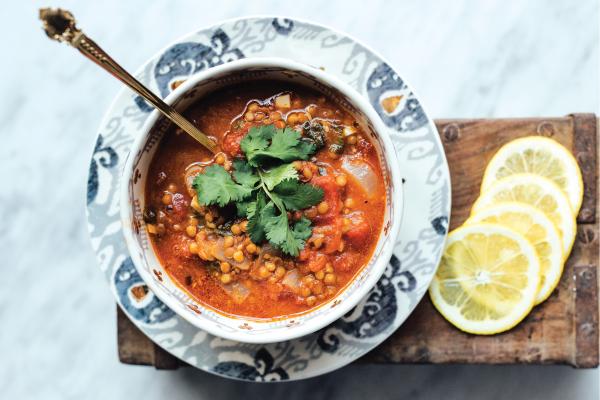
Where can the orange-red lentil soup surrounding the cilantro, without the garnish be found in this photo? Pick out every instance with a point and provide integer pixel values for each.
(192, 241)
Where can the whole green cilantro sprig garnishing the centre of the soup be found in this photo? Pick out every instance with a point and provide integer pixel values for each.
(265, 186)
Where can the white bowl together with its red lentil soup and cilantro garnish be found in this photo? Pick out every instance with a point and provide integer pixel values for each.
(287, 226)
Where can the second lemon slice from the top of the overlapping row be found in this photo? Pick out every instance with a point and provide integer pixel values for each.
(539, 192)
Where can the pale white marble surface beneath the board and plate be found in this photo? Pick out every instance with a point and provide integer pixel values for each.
(493, 58)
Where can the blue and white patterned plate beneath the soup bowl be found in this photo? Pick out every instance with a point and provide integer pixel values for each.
(424, 224)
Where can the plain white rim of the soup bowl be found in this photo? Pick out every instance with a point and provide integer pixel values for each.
(379, 267)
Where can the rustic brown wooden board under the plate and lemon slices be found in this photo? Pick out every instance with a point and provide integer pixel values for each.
(563, 330)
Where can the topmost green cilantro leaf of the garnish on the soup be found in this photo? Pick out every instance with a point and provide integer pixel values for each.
(285, 145)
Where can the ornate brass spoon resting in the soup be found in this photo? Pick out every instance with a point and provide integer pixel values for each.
(60, 25)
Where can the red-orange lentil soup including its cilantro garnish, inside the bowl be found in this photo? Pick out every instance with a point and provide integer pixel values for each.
(259, 233)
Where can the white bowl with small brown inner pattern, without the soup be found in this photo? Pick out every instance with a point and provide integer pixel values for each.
(239, 328)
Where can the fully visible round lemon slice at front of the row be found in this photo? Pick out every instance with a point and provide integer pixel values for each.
(487, 280)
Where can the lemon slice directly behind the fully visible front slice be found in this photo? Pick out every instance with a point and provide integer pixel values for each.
(541, 233)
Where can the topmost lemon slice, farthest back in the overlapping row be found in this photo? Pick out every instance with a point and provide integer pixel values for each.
(541, 156)
